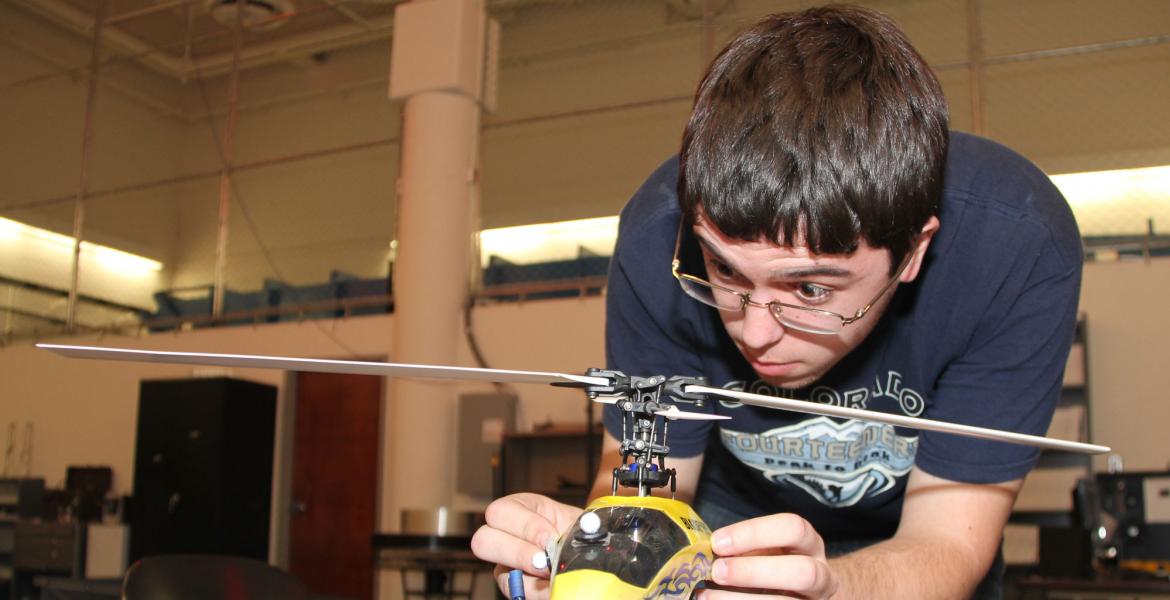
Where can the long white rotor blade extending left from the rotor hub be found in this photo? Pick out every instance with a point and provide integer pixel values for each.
(356, 368)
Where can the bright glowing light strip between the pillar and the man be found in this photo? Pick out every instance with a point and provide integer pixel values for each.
(555, 242)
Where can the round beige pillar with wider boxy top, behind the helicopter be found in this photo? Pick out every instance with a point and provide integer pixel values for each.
(438, 68)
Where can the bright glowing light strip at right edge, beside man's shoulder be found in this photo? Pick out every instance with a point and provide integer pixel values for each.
(1119, 203)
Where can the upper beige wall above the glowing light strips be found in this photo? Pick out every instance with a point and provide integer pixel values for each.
(593, 96)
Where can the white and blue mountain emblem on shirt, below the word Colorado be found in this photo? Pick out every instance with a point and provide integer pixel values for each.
(837, 464)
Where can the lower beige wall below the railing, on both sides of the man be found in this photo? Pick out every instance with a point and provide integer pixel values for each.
(85, 412)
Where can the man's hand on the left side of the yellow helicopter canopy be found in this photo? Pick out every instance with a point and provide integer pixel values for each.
(519, 527)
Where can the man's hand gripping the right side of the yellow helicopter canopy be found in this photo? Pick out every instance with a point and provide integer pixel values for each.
(779, 556)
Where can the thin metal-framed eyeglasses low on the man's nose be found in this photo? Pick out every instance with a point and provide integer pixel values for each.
(802, 319)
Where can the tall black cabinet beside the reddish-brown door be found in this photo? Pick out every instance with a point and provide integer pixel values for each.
(203, 468)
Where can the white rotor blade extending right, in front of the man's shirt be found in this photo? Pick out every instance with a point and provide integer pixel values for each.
(913, 423)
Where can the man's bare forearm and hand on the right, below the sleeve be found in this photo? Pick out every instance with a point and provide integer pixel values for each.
(945, 546)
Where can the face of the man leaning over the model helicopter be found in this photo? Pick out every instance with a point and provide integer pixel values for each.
(782, 356)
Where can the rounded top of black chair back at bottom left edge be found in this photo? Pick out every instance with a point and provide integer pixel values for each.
(203, 577)
